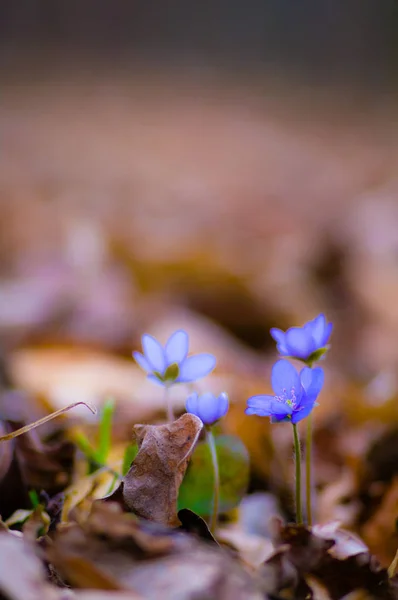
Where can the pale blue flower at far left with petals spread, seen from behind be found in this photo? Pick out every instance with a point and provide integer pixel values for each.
(171, 363)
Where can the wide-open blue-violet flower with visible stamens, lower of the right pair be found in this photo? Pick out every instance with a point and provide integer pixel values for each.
(295, 394)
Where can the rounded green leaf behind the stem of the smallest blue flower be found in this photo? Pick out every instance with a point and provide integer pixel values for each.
(196, 491)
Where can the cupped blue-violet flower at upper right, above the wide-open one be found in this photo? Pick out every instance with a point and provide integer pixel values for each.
(307, 343)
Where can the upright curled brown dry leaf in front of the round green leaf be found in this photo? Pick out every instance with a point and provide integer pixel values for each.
(150, 488)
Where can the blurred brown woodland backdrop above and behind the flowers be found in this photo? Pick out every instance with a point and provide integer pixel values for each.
(219, 166)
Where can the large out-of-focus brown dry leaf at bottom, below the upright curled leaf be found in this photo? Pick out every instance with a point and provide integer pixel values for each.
(147, 558)
